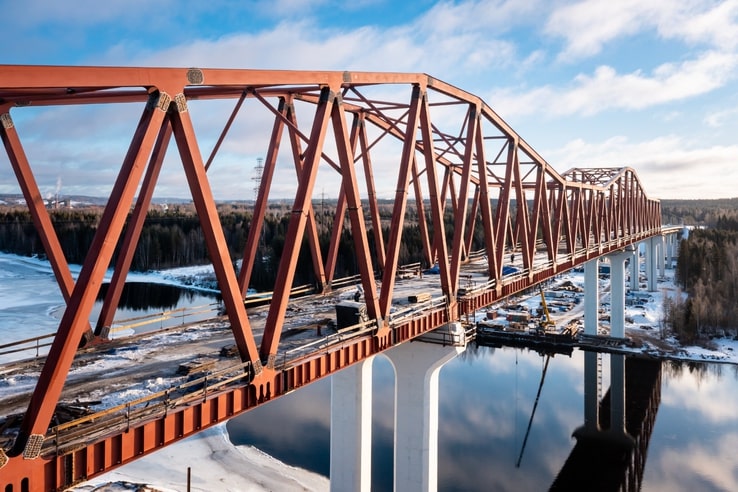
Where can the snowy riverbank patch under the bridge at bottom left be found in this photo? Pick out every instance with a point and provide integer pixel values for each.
(215, 464)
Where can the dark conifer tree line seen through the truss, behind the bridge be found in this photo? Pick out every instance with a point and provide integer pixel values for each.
(172, 237)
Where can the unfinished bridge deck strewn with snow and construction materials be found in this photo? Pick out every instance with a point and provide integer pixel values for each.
(110, 379)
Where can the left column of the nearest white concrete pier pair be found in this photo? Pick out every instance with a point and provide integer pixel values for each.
(351, 428)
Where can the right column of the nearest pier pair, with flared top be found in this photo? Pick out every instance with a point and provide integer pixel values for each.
(416, 413)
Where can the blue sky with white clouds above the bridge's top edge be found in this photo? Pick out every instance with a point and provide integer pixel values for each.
(647, 84)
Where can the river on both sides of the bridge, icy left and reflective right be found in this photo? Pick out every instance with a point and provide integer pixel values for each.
(487, 396)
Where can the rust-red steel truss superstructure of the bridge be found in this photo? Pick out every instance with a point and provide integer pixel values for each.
(475, 184)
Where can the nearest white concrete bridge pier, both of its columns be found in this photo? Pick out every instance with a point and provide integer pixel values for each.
(416, 366)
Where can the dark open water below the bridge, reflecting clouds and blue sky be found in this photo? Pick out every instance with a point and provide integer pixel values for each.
(682, 419)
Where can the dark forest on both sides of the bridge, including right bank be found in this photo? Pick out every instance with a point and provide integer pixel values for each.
(707, 266)
